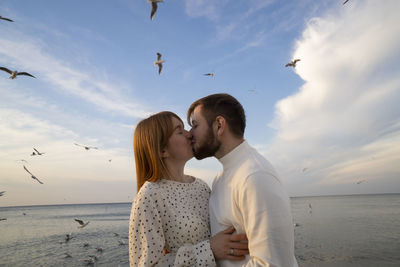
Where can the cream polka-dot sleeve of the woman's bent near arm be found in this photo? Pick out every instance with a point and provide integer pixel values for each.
(147, 240)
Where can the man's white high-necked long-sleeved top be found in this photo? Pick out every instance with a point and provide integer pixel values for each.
(249, 195)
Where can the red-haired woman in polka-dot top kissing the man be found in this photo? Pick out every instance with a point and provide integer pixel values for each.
(169, 223)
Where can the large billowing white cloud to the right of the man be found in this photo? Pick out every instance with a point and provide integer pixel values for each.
(345, 113)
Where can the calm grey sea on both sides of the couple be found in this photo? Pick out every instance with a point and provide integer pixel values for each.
(355, 230)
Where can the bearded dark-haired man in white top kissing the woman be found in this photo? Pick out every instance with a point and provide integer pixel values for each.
(248, 193)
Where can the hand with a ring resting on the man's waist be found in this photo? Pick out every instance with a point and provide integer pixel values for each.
(229, 246)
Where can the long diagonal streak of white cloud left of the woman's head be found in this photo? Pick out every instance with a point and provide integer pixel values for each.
(60, 76)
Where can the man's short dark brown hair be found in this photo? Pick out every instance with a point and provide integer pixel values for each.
(223, 105)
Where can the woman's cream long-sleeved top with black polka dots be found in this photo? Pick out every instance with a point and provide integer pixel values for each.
(173, 216)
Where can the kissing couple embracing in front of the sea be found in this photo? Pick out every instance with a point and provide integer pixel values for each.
(247, 209)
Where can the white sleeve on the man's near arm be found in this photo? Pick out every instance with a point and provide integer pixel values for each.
(267, 220)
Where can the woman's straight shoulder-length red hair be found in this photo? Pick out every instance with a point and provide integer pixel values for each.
(149, 140)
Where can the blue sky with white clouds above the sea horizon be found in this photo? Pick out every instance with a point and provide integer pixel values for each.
(330, 126)
